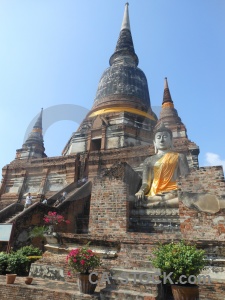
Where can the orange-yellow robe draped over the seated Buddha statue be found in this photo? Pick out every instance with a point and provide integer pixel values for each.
(163, 173)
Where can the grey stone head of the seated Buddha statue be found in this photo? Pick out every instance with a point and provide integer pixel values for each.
(163, 138)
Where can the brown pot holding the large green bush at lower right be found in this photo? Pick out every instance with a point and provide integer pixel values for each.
(183, 292)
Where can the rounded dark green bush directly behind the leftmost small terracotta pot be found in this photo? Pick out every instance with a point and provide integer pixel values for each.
(18, 264)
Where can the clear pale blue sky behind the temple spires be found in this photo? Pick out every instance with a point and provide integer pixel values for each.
(53, 53)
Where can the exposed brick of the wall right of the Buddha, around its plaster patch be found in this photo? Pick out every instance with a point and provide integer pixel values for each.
(200, 225)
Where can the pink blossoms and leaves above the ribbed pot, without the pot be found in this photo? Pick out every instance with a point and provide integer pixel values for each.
(82, 260)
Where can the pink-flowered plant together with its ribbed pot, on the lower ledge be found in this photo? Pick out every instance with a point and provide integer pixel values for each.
(83, 260)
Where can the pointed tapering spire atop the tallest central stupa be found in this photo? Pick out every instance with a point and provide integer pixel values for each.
(124, 52)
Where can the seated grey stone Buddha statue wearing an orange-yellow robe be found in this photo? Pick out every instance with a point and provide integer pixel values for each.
(160, 173)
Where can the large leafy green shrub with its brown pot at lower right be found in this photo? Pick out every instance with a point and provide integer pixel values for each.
(180, 265)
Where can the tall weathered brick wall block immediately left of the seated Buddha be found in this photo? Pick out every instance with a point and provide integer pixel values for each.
(109, 208)
